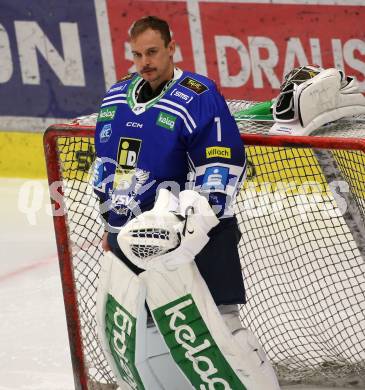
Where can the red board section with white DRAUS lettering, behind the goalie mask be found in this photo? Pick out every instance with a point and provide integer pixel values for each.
(262, 42)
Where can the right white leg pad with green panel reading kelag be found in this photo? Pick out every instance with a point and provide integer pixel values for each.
(199, 341)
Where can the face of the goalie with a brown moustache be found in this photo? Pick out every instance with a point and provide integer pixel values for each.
(153, 60)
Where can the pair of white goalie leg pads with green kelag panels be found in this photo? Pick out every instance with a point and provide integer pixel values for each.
(195, 347)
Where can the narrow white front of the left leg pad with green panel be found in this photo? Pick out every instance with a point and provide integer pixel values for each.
(121, 320)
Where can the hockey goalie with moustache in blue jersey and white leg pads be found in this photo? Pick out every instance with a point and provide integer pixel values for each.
(171, 279)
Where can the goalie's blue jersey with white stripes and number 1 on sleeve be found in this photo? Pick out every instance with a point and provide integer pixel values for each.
(185, 138)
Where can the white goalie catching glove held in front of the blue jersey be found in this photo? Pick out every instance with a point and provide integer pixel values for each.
(172, 233)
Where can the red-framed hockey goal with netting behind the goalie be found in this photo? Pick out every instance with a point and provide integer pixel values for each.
(301, 212)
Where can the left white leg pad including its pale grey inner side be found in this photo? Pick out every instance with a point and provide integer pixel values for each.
(136, 353)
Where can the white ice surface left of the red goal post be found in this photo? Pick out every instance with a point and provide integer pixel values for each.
(34, 350)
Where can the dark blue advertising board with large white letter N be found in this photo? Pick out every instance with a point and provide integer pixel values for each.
(50, 59)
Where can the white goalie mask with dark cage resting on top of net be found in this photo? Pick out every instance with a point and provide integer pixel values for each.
(311, 97)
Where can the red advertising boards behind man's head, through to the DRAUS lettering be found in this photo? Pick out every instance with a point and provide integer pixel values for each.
(248, 47)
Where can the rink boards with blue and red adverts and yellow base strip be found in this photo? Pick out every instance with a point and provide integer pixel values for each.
(56, 61)
